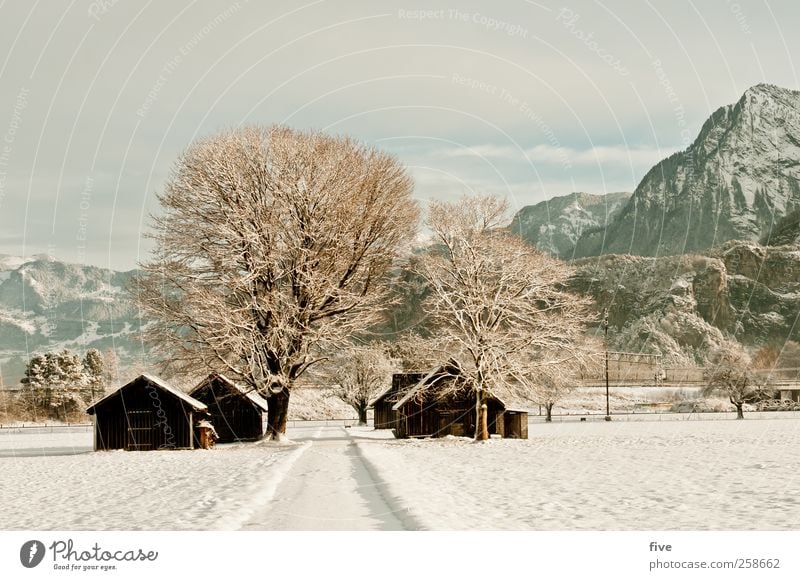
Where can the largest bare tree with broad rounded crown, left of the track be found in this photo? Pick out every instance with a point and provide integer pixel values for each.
(273, 246)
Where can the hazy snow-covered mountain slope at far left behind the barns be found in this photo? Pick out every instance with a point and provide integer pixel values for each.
(46, 305)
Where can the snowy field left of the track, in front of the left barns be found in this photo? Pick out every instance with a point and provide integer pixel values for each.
(112, 490)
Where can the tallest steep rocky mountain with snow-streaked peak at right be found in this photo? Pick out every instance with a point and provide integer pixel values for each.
(736, 181)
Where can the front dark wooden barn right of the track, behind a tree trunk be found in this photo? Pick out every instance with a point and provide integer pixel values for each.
(425, 412)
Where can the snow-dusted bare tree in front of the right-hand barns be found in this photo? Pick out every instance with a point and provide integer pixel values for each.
(494, 299)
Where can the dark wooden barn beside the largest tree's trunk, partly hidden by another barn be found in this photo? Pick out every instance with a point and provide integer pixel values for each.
(237, 413)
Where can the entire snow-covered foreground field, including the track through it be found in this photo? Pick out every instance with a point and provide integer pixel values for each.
(637, 475)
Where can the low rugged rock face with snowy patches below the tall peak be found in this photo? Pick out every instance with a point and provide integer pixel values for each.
(682, 306)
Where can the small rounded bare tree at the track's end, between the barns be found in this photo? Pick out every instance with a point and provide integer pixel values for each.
(359, 373)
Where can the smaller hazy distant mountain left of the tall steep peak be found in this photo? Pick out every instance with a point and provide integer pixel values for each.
(555, 225)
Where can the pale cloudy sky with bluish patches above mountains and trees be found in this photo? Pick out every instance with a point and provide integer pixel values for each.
(525, 99)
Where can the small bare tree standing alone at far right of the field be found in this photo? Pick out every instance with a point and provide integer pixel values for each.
(730, 371)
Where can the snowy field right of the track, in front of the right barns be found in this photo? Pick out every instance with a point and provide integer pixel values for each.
(675, 475)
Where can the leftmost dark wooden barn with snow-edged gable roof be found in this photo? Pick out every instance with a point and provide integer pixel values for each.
(147, 413)
